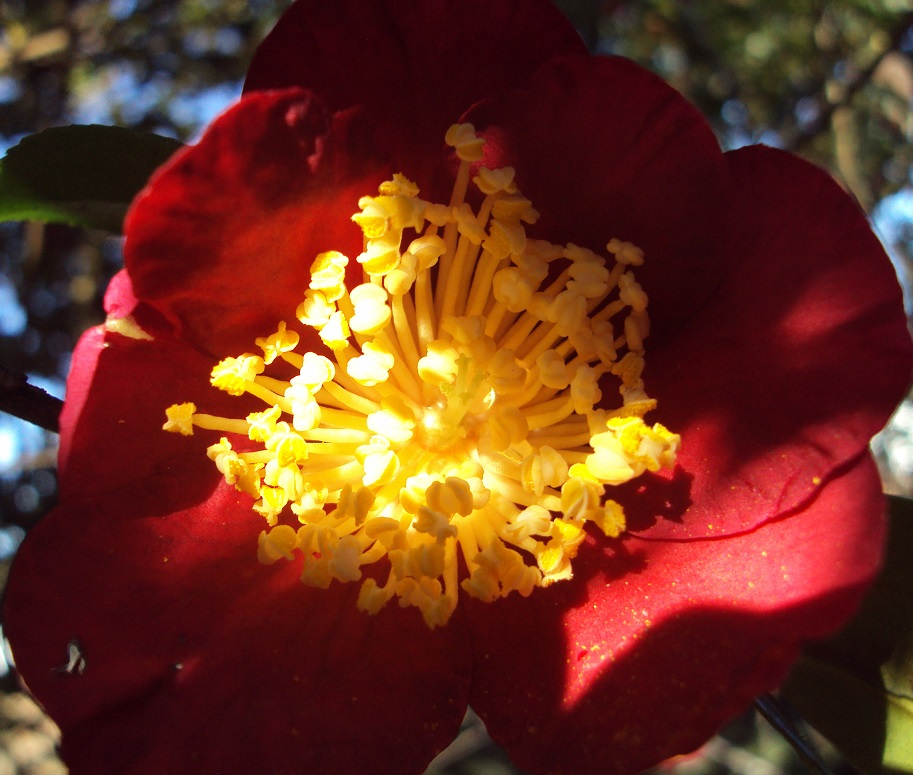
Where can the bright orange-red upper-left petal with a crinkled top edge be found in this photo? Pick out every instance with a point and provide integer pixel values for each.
(222, 240)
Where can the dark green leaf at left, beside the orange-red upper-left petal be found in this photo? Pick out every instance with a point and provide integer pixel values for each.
(79, 175)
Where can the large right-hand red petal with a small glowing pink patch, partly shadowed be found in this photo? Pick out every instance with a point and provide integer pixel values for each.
(792, 366)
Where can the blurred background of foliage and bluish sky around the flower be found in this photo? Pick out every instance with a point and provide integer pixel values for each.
(830, 80)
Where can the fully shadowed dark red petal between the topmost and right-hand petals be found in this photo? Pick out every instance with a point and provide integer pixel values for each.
(605, 149)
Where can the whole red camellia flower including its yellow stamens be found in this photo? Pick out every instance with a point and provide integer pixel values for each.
(492, 382)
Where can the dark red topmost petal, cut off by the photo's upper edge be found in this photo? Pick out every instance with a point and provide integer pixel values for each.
(415, 66)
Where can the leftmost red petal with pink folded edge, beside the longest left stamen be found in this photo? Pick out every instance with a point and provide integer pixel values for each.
(111, 425)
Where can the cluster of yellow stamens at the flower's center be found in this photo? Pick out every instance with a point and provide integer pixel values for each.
(458, 421)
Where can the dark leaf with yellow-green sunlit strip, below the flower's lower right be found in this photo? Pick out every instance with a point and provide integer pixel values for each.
(857, 687)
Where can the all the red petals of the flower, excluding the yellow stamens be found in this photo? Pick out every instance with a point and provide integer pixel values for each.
(778, 347)
